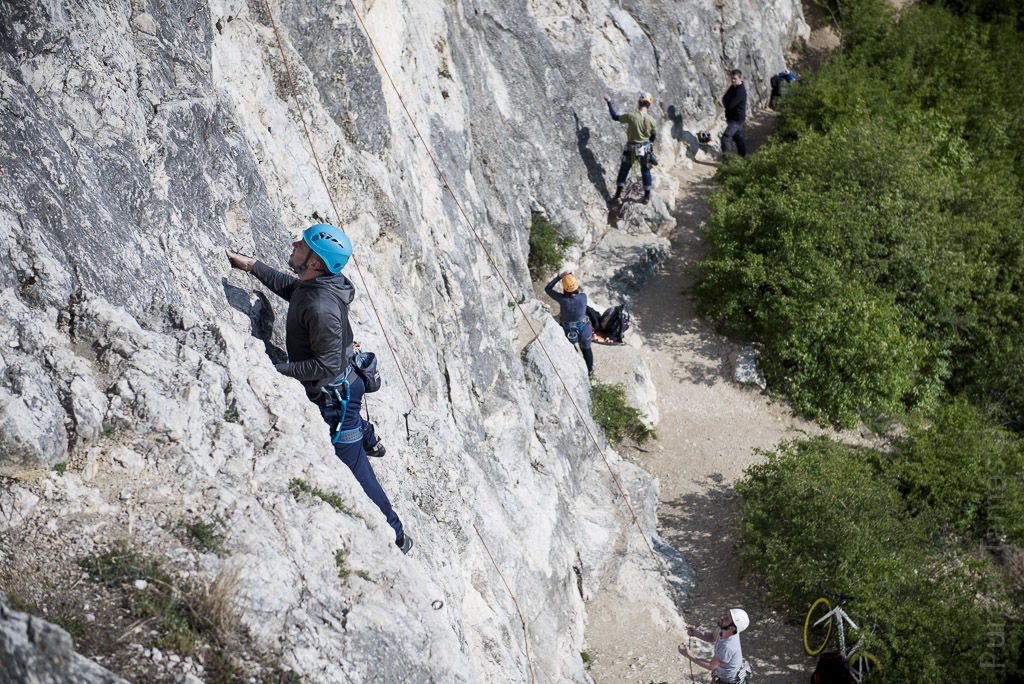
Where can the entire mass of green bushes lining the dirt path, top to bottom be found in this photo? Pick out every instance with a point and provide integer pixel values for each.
(875, 251)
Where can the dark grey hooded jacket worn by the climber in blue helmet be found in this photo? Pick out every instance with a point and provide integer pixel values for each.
(318, 335)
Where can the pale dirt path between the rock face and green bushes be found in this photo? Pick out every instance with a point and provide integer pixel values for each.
(710, 429)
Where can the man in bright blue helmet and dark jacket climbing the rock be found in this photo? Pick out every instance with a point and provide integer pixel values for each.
(319, 340)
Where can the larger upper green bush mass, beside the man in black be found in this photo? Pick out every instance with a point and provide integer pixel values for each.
(876, 251)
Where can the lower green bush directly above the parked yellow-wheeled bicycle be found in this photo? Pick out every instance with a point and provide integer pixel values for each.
(820, 518)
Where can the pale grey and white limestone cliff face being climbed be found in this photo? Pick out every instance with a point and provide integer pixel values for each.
(140, 139)
